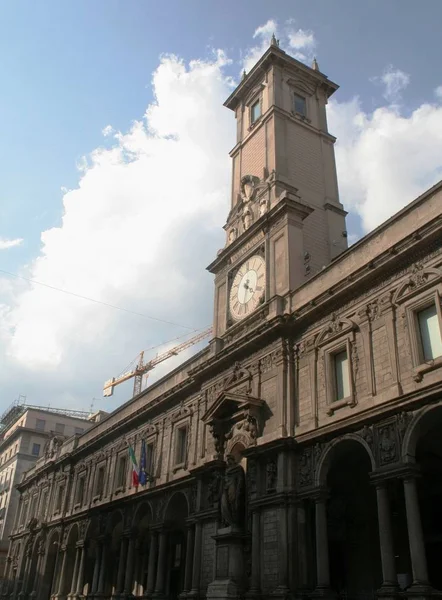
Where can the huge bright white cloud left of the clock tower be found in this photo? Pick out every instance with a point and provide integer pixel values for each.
(141, 210)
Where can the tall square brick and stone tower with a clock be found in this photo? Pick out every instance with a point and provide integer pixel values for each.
(285, 221)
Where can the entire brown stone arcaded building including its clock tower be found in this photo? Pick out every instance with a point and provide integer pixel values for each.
(300, 453)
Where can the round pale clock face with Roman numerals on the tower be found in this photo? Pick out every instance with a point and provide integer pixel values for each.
(247, 287)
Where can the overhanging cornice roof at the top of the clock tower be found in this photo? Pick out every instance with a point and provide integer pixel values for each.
(274, 55)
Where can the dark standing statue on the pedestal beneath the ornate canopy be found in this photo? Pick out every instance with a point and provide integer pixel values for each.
(233, 494)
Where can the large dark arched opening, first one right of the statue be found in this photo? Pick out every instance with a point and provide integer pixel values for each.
(354, 556)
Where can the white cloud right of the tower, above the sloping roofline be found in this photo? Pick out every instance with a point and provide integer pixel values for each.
(385, 159)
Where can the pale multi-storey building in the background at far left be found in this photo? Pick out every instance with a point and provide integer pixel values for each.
(26, 433)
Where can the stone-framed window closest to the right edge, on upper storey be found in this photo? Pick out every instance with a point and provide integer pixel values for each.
(423, 316)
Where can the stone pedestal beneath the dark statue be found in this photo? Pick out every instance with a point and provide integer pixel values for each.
(229, 567)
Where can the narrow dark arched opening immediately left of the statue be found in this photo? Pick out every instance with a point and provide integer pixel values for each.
(175, 520)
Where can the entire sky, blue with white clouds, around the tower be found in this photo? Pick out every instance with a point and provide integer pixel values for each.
(114, 166)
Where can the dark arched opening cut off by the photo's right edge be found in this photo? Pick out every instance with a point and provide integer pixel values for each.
(428, 452)
